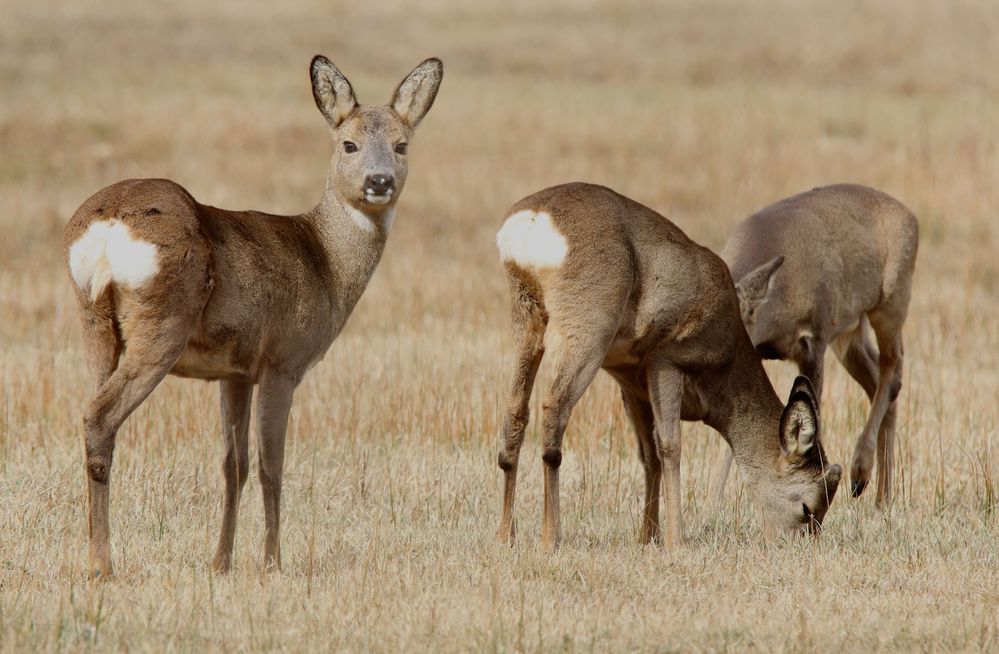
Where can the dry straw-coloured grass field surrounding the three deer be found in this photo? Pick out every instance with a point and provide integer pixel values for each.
(704, 111)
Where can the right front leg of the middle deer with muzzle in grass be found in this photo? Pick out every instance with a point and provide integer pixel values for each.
(666, 393)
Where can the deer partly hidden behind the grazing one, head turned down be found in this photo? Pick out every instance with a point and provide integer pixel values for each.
(821, 269)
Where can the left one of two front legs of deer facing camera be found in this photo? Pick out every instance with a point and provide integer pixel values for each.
(235, 402)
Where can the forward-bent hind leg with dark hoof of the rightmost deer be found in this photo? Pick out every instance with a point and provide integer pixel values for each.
(889, 383)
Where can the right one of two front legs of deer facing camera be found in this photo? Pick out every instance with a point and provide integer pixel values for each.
(273, 405)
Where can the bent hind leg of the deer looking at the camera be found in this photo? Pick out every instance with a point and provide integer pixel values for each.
(153, 346)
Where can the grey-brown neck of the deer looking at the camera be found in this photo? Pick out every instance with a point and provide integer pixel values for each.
(353, 241)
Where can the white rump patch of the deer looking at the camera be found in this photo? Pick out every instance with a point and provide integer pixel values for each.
(107, 253)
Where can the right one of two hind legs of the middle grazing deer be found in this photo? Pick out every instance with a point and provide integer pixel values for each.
(577, 362)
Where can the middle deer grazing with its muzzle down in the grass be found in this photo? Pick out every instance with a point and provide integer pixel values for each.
(599, 280)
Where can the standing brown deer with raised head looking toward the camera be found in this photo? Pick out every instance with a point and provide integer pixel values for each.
(170, 286)
